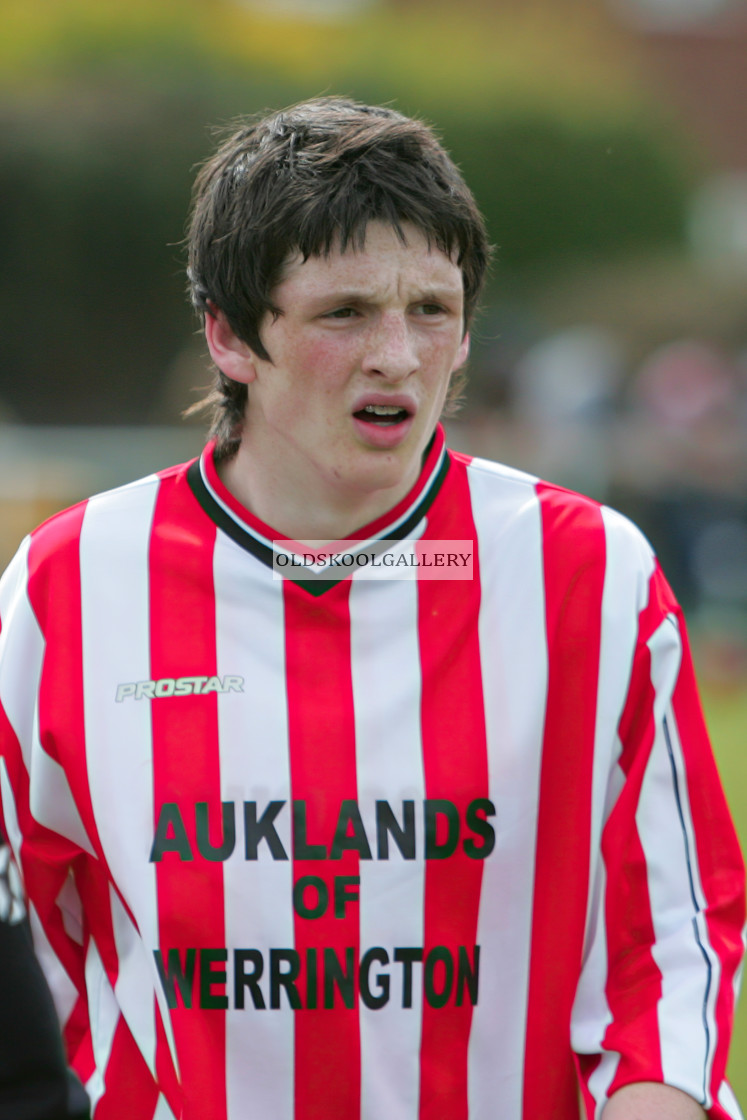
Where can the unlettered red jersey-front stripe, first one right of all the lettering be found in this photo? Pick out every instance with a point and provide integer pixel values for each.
(574, 556)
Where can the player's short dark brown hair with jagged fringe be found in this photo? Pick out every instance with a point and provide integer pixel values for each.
(307, 180)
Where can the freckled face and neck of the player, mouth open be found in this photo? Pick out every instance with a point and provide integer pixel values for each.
(362, 356)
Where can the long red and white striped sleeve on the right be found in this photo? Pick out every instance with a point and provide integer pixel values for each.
(658, 992)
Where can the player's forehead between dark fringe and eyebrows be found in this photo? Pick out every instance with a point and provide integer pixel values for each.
(385, 260)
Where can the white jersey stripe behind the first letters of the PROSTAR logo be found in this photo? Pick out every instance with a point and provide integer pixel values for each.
(116, 612)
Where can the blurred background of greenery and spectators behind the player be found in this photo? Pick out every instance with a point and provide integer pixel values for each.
(606, 142)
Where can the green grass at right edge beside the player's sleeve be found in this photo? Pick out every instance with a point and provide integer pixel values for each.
(727, 720)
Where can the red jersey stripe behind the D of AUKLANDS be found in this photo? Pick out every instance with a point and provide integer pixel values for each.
(455, 763)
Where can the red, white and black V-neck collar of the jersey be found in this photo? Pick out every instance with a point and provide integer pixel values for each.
(257, 537)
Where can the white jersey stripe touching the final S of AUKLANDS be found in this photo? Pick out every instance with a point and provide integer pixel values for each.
(515, 661)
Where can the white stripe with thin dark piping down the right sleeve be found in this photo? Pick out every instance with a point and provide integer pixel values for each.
(690, 969)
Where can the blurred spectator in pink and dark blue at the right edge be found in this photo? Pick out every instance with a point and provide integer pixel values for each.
(681, 468)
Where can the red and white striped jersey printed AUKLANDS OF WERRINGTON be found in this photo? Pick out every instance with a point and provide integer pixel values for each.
(369, 848)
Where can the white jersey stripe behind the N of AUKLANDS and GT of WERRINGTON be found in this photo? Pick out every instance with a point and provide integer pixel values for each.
(386, 667)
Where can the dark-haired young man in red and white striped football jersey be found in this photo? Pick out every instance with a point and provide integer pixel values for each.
(305, 832)
